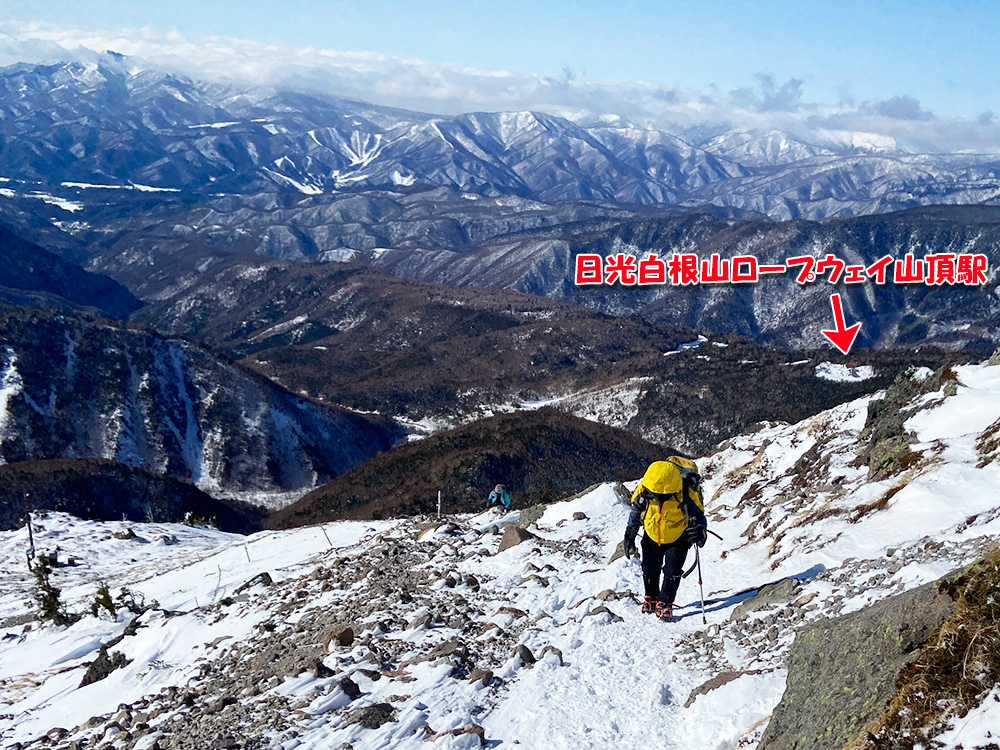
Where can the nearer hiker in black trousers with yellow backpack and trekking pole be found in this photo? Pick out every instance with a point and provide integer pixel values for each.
(668, 505)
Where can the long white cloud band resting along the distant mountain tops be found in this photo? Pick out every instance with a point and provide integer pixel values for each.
(451, 89)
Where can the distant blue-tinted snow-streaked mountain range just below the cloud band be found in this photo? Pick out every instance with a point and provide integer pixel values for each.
(103, 126)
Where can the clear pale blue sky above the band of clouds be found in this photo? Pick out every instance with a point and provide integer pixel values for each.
(943, 54)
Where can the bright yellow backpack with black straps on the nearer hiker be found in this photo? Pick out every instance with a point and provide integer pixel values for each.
(665, 482)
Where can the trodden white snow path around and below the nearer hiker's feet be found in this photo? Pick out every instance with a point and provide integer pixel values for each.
(625, 678)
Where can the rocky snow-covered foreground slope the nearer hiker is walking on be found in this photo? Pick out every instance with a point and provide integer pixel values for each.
(430, 601)
